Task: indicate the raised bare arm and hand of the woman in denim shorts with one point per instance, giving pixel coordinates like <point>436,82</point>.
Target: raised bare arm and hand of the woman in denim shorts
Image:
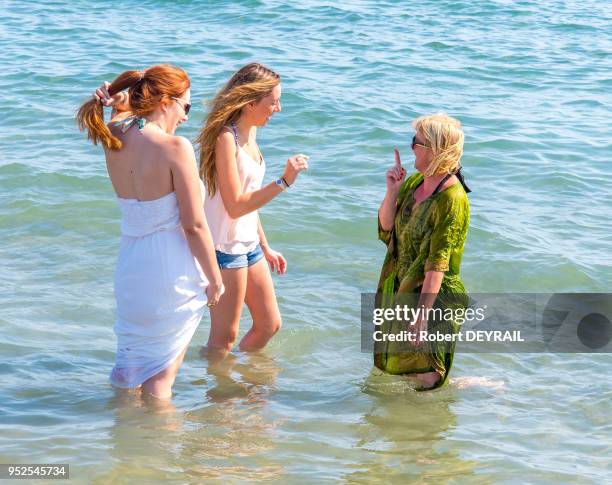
<point>235,201</point>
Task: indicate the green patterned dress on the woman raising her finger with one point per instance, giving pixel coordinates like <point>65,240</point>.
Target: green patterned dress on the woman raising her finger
<point>428,238</point>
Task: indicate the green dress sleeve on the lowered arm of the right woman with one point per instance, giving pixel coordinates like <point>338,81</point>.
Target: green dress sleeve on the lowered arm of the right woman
<point>446,234</point>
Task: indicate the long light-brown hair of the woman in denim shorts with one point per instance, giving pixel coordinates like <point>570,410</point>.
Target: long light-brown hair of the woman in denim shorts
<point>248,85</point>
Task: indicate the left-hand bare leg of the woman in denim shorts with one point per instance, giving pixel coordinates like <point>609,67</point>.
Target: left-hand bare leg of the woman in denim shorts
<point>225,315</point>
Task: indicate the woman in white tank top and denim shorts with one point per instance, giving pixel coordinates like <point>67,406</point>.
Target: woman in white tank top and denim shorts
<point>232,168</point>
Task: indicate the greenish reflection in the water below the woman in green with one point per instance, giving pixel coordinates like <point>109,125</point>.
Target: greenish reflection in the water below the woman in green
<point>405,434</point>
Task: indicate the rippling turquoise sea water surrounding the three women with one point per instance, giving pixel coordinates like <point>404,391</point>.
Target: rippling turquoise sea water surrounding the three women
<point>531,83</point>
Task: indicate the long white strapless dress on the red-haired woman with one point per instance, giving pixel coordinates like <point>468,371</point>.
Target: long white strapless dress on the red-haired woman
<point>159,289</point>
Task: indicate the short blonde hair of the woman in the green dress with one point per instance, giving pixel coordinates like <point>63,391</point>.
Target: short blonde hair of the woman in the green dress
<point>445,137</point>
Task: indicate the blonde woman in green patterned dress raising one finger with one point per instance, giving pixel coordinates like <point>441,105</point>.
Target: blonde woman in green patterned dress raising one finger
<point>424,222</point>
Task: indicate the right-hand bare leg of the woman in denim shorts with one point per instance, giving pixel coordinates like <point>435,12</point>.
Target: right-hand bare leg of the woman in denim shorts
<point>261,300</point>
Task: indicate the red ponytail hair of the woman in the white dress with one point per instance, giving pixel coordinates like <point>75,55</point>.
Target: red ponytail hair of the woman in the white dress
<point>147,90</point>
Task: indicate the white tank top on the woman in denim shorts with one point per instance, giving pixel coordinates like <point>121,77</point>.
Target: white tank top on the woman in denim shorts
<point>236,236</point>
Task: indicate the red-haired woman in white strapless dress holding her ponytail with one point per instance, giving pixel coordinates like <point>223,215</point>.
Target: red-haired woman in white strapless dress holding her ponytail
<point>166,270</point>
